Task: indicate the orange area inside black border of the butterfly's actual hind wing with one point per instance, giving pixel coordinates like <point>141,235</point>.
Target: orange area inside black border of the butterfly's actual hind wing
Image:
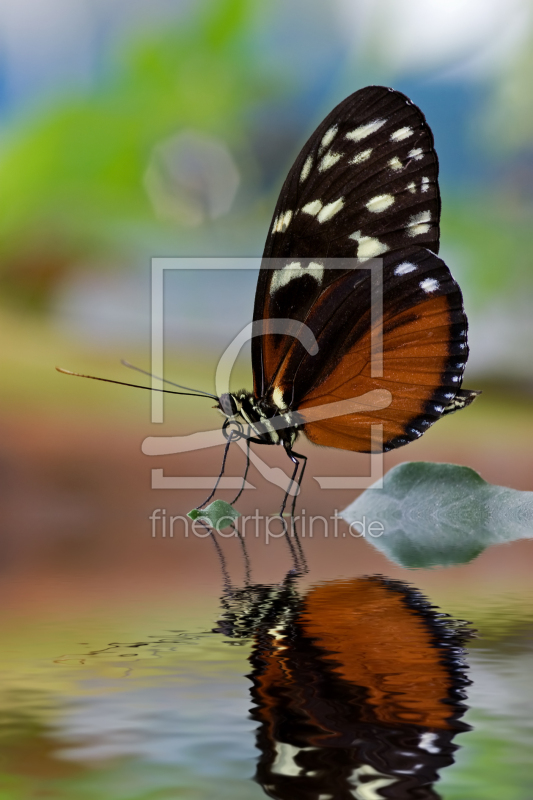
<point>418,370</point>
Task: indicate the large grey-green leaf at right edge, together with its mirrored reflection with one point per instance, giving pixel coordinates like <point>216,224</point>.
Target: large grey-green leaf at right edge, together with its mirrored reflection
<point>440,514</point>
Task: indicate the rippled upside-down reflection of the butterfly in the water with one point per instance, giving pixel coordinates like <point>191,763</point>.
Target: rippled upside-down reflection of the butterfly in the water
<point>357,687</point>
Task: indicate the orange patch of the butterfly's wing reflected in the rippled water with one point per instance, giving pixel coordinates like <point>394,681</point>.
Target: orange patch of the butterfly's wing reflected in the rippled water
<point>373,639</point>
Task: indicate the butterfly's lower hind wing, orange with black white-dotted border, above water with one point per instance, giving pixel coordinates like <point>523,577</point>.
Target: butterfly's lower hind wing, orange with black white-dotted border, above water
<point>424,353</point>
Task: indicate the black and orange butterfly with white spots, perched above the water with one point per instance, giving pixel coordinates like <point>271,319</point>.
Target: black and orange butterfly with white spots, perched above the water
<point>364,186</point>
